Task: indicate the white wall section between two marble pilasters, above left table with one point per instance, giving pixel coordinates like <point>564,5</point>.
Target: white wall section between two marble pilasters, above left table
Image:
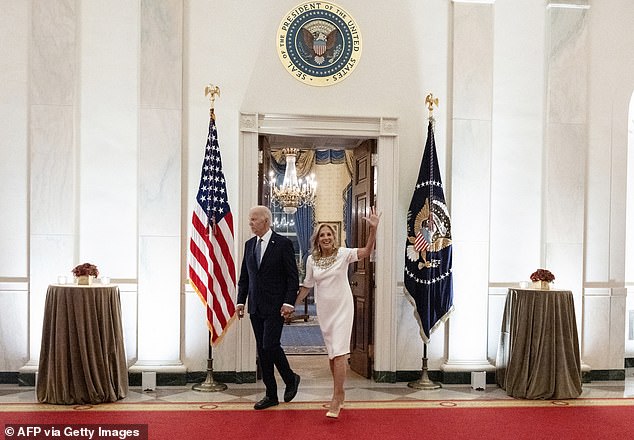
<point>107,130</point>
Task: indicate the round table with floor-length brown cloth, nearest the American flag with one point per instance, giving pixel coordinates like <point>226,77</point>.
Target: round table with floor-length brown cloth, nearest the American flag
<point>82,357</point>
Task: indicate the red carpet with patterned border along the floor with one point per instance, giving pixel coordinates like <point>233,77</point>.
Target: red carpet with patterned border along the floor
<point>447,420</point>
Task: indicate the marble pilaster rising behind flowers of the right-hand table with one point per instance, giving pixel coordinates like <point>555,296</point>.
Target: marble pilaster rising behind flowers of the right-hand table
<point>565,146</point>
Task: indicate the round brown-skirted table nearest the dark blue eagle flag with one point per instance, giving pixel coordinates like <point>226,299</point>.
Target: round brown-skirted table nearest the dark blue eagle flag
<point>538,355</point>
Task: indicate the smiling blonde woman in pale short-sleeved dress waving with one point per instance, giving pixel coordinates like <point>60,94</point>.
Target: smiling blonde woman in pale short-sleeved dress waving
<point>327,272</point>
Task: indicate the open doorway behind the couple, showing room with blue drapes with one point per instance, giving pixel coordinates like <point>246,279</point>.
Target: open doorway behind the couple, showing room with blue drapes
<point>342,170</point>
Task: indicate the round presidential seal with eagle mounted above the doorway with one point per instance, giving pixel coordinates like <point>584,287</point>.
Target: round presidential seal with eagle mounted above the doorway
<point>319,43</point>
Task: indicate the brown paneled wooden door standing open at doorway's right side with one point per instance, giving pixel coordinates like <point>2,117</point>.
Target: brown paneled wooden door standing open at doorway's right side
<point>361,273</point>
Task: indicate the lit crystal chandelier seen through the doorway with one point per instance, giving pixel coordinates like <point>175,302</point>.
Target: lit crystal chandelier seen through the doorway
<point>293,193</point>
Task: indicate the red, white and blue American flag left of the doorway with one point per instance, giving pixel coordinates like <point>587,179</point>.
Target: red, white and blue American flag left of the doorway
<point>212,270</point>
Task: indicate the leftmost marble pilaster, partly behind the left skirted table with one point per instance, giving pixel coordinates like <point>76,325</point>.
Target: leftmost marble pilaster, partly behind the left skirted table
<point>53,183</point>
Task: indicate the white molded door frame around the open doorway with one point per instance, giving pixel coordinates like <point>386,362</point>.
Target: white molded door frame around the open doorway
<point>385,131</point>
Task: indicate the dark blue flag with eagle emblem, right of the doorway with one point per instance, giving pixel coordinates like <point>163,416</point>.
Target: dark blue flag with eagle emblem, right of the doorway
<point>428,273</point>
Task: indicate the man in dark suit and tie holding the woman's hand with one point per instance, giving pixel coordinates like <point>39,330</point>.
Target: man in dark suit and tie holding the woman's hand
<point>269,288</point>
